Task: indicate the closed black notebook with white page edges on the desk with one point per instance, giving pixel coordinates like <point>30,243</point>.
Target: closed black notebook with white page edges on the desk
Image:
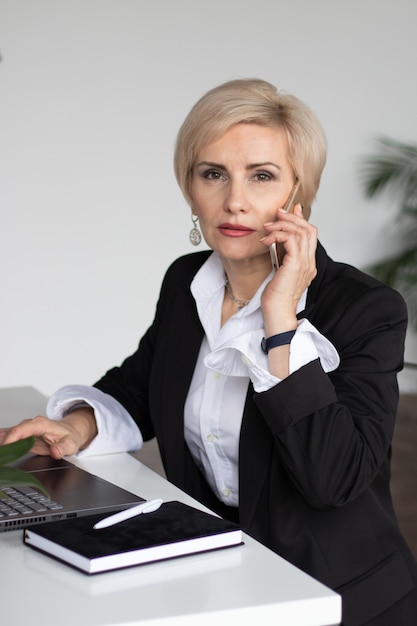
<point>175,529</point>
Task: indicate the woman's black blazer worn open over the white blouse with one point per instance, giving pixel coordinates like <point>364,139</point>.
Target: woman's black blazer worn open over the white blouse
<point>314,462</point>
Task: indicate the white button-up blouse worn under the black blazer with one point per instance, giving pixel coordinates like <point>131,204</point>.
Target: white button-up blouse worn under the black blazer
<point>229,357</point>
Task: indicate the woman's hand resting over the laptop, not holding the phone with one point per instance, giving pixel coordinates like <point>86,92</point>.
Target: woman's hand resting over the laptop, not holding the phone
<point>57,438</point>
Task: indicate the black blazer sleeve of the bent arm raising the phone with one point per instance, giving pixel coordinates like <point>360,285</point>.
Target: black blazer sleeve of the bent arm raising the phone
<point>334,431</point>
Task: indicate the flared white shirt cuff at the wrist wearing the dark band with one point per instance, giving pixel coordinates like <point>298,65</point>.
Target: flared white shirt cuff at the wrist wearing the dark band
<point>243,356</point>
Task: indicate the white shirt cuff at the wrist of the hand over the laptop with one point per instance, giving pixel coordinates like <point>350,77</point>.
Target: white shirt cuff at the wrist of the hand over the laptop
<point>117,432</point>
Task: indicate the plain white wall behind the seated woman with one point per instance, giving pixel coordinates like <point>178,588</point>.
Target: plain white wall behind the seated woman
<point>92,93</point>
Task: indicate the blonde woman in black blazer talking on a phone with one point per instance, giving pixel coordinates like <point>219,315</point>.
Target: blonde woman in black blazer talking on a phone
<point>272,391</point>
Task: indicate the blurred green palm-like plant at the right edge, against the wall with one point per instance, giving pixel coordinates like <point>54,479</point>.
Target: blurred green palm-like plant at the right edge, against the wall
<point>394,169</point>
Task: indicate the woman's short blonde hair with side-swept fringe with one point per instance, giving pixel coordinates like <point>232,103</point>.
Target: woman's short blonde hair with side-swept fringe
<point>254,101</point>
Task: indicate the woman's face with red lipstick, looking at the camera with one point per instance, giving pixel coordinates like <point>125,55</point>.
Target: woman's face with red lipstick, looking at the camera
<point>238,183</point>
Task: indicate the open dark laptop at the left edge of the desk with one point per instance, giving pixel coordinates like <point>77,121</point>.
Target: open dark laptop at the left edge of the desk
<point>72,491</point>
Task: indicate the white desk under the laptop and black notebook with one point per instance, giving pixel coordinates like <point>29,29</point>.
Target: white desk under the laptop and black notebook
<point>230,586</point>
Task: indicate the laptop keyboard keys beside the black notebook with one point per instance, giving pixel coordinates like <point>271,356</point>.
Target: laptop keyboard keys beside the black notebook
<point>24,500</point>
